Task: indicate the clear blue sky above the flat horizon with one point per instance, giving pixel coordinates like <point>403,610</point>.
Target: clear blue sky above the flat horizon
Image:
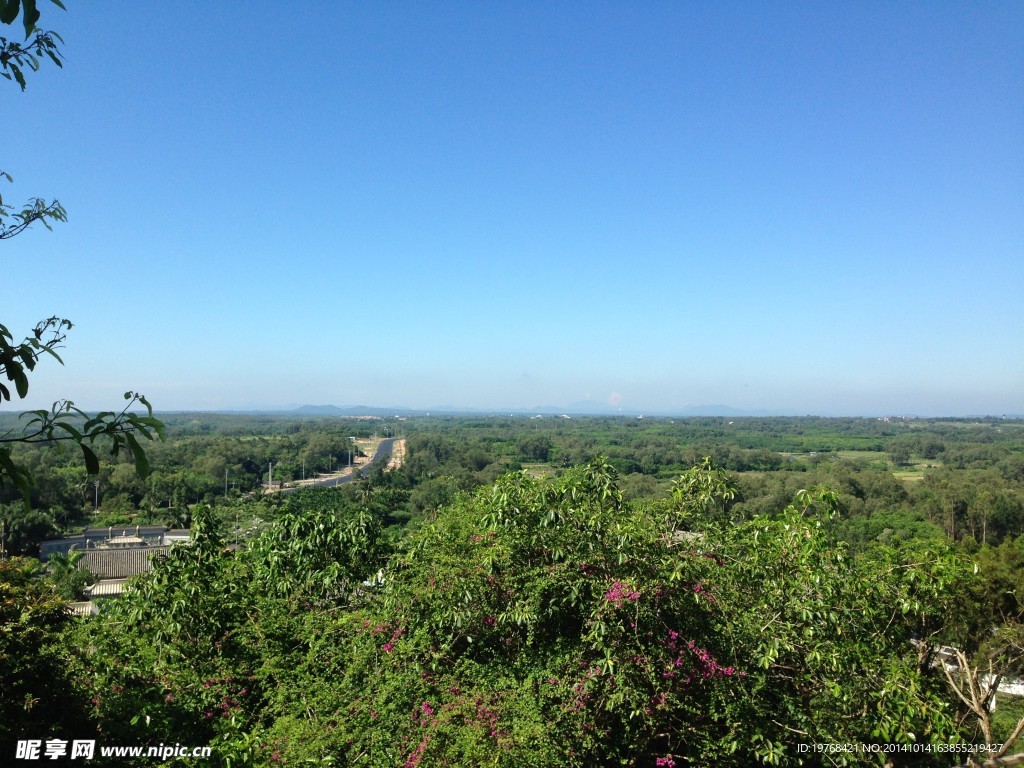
<point>813,207</point>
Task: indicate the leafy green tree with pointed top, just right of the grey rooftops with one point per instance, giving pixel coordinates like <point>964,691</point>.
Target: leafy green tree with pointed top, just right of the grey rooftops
<point>167,653</point>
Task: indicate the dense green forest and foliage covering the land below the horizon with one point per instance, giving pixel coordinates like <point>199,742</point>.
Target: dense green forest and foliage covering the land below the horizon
<point>516,591</point>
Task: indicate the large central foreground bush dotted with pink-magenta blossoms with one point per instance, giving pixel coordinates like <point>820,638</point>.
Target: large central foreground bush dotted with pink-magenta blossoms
<point>527,625</point>
